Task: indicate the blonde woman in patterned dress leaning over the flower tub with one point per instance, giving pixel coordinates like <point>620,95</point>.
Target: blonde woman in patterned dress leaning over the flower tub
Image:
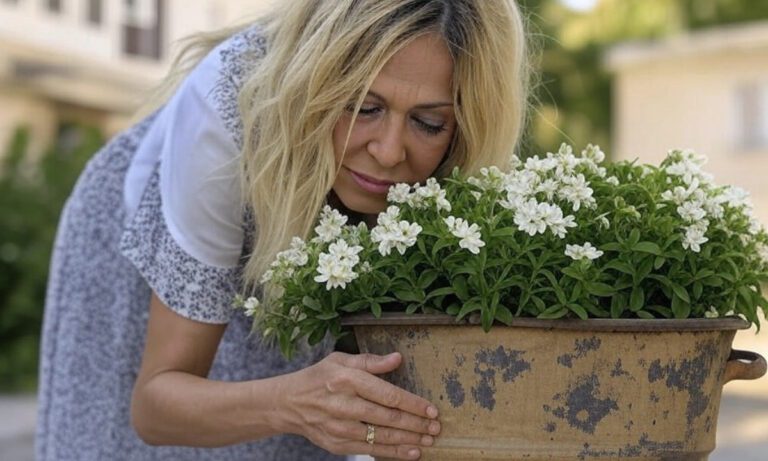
<point>323,101</point>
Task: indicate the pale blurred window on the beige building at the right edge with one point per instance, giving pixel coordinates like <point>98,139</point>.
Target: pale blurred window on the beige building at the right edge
<point>752,115</point>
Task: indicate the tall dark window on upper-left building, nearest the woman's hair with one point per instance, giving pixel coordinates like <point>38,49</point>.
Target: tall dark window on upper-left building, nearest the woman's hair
<point>143,28</point>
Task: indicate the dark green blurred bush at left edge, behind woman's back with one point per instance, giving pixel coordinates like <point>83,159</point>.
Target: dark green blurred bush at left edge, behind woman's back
<point>32,193</point>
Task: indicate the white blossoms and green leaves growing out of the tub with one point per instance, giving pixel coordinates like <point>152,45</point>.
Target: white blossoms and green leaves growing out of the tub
<point>555,237</point>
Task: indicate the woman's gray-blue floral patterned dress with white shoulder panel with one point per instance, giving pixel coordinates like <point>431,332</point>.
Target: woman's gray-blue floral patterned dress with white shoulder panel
<point>113,249</point>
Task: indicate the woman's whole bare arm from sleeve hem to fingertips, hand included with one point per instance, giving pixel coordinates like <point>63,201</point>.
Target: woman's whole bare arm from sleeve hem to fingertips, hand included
<point>175,404</point>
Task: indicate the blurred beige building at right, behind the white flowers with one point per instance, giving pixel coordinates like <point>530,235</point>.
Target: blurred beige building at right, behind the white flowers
<point>707,91</point>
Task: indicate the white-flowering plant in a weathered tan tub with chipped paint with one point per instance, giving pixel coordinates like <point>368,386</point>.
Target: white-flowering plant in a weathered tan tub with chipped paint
<point>563,309</point>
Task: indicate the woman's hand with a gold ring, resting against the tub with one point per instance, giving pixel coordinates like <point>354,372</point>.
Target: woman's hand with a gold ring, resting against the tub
<point>332,402</point>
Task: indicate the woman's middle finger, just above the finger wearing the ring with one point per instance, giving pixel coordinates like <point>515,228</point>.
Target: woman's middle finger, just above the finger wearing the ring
<point>386,417</point>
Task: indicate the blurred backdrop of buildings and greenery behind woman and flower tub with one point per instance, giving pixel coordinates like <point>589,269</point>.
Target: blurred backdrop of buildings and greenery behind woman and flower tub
<point>637,77</point>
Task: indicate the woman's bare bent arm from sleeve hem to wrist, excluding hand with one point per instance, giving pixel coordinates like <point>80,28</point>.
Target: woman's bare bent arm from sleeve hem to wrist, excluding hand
<point>175,404</point>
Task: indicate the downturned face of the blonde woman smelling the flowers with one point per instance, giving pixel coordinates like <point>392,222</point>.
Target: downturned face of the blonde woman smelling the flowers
<point>404,127</point>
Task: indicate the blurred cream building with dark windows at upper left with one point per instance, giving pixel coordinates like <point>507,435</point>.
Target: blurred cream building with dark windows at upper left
<point>92,61</point>
